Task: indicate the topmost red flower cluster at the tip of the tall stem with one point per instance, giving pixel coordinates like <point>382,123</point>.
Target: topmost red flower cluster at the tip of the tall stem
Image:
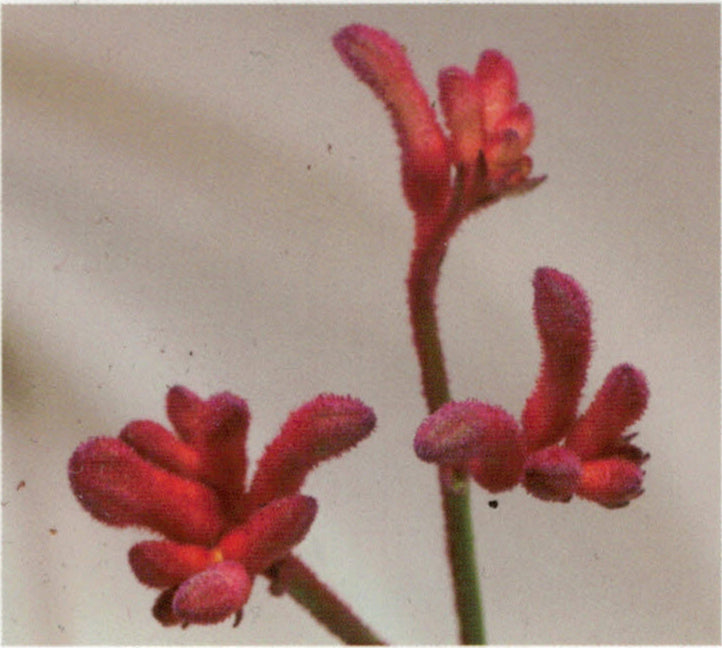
<point>489,130</point>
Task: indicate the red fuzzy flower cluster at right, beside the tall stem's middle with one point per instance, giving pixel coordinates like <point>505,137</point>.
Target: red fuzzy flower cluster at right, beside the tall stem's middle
<point>554,452</point>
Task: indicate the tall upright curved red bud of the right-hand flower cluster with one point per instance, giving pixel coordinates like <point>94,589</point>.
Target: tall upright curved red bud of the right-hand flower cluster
<point>563,321</point>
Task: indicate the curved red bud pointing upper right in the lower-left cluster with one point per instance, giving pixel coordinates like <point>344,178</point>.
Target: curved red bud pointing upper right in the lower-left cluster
<point>323,428</point>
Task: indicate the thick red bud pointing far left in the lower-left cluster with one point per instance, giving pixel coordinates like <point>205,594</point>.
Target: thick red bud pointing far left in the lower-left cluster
<point>116,486</point>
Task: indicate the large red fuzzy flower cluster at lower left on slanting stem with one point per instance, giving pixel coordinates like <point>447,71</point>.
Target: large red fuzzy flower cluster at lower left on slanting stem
<point>191,488</point>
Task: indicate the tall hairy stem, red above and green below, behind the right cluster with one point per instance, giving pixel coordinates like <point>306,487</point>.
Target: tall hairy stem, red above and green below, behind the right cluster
<point>422,283</point>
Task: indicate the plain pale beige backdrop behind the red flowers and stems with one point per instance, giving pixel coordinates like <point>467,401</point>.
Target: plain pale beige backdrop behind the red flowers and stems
<point>205,195</point>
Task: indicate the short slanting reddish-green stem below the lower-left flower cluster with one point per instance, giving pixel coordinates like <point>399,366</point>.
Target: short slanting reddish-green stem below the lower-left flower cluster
<point>308,591</point>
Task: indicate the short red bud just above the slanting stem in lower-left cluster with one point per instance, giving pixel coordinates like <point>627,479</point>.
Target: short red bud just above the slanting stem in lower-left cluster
<point>270,533</point>
